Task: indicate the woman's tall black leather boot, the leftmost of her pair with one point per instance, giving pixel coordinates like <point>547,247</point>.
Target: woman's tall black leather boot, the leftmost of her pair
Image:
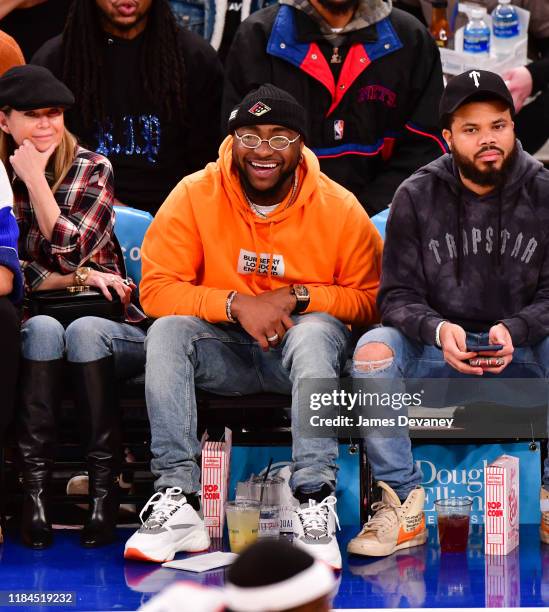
<point>40,385</point>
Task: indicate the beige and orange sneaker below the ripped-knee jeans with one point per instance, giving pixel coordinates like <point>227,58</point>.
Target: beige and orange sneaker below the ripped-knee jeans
<point>394,526</point>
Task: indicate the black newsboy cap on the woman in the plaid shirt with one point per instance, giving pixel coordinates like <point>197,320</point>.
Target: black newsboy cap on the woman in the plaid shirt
<point>30,87</point>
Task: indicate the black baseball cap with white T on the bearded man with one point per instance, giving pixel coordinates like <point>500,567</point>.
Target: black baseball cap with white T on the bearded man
<point>471,84</point>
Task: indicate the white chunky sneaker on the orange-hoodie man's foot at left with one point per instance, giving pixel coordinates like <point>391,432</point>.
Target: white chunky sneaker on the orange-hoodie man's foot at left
<point>173,526</point>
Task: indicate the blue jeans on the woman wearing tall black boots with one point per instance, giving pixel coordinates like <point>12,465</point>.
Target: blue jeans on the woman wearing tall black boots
<point>86,339</point>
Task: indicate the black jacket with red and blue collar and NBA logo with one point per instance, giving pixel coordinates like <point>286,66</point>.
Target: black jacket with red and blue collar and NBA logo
<point>373,118</point>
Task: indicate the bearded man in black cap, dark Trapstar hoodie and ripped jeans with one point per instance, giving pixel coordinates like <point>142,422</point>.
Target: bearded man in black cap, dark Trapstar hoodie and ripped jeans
<point>466,262</point>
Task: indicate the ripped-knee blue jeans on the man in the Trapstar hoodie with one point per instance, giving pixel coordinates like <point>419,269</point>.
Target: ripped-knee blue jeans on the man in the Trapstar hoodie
<point>391,458</point>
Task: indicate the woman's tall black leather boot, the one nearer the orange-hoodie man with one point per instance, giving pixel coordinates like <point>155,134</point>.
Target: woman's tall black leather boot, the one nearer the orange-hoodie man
<point>96,394</point>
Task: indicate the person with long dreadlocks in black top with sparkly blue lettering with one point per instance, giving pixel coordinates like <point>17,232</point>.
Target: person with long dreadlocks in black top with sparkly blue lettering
<point>147,93</point>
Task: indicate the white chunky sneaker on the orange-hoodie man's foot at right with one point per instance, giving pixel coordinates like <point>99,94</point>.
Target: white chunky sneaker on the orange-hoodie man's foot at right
<point>315,530</point>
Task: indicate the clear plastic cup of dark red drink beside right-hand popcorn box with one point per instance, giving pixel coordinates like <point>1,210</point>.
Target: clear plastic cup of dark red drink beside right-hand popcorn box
<point>453,523</point>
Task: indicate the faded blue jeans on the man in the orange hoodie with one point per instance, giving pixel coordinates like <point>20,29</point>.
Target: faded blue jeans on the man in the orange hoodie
<point>225,359</point>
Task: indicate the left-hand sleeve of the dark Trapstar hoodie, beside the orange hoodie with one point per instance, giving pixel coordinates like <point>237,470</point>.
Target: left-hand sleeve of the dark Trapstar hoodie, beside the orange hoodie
<point>402,297</point>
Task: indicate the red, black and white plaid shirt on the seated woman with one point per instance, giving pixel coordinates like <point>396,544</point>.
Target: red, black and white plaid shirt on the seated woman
<point>83,231</point>
